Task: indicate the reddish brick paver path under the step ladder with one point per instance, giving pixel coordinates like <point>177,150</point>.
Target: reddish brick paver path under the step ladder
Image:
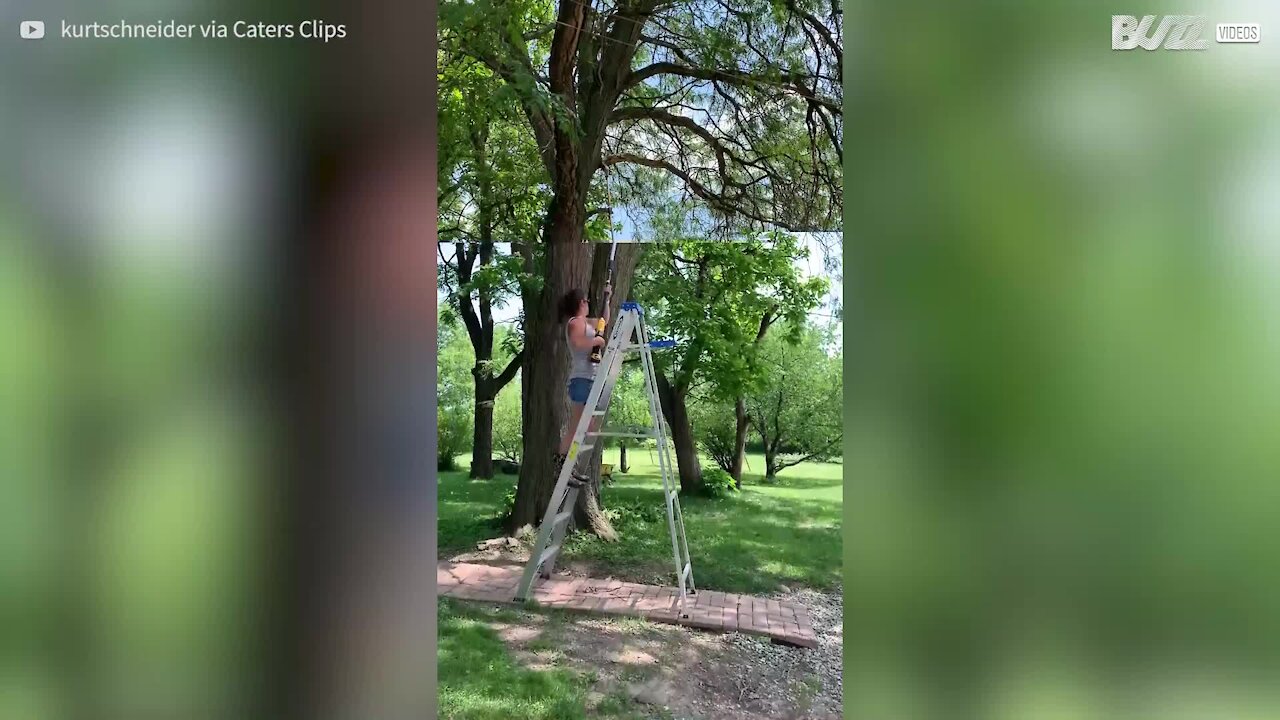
<point>784,622</point>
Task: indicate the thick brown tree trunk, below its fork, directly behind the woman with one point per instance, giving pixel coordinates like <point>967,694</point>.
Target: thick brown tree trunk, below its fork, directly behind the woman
<point>546,364</point>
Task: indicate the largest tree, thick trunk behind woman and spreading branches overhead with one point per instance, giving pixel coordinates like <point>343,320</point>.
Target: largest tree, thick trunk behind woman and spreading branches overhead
<point>728,102</point>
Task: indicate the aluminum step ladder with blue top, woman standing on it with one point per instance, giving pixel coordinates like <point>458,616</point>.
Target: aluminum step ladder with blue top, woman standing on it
<point>629,336</point>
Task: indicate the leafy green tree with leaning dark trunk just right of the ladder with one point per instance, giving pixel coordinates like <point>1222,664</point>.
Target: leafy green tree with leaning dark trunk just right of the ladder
<point>711,298</point>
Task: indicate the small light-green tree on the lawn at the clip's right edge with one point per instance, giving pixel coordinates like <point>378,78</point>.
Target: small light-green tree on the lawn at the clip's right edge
<point>797,411</point>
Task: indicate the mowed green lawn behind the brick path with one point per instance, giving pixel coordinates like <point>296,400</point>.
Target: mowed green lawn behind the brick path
<point>755,541</point>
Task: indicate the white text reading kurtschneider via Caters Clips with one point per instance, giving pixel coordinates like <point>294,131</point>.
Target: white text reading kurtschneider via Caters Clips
<point>244,30</point>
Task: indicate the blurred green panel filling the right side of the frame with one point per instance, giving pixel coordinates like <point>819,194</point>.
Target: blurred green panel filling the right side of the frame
<point>1064,425</point>
